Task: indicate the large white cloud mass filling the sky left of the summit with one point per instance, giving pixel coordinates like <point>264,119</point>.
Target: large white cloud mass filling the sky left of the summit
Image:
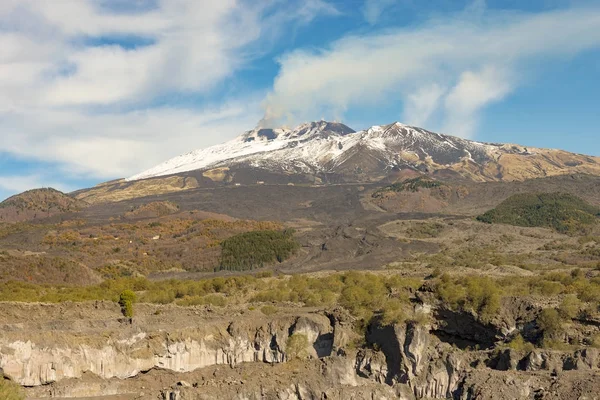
<point>70,100</point>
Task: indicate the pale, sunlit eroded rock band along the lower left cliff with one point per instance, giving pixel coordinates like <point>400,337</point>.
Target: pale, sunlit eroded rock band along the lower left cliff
<point>31,364</point>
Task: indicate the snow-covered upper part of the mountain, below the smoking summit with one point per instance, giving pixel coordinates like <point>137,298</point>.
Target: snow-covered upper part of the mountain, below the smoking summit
<point>321,147</point>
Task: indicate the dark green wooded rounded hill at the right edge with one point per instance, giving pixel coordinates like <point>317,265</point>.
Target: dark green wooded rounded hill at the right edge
<point>561,211</point>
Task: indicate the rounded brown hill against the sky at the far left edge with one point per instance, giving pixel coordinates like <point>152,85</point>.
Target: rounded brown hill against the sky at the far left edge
<point>38,204</point>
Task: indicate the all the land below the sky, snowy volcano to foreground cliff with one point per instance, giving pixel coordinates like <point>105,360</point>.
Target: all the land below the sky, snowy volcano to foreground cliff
<point>310,263</point>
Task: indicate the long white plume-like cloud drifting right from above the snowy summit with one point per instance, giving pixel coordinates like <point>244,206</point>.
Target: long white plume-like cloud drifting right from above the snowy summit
<point>478,59</point>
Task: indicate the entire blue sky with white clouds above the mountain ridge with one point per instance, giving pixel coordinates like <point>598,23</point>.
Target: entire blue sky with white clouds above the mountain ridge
<point>93,90</point>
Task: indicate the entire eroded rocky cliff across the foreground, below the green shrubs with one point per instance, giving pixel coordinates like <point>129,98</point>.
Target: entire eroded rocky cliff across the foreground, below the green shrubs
<point>198,353</point>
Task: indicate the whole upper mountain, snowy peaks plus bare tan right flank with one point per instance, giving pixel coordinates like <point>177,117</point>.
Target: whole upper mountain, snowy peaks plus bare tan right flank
<point>333,150</point>
